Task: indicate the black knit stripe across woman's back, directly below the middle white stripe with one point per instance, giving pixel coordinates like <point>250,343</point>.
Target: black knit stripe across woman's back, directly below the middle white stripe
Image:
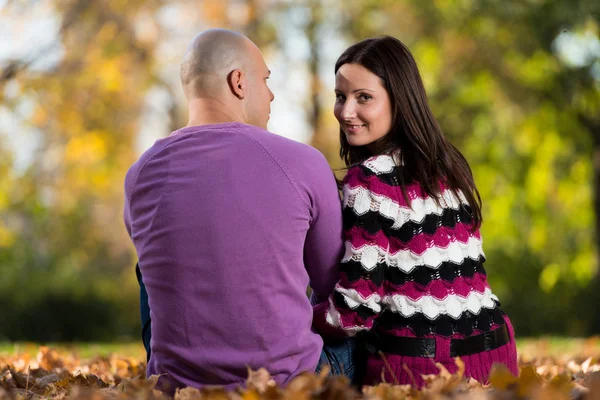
<point>421,274</point>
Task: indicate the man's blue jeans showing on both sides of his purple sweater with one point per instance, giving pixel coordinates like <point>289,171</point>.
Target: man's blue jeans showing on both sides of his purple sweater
<point>339,355</point>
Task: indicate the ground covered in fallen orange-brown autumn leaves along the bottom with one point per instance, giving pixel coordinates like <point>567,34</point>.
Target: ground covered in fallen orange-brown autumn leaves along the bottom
<point>59,374</point>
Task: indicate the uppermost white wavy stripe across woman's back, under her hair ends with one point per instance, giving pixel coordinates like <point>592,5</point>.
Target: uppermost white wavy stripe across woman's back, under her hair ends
<point>362,200</point>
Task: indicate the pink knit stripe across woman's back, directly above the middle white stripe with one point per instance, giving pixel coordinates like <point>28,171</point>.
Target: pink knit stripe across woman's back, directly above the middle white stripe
<point>442,238</point>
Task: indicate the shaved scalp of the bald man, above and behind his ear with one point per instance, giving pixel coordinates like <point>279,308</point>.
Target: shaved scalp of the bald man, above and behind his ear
<point>211,56</point>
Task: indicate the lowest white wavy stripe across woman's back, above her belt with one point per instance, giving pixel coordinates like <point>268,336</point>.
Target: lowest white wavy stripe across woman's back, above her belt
<point>453,305</point>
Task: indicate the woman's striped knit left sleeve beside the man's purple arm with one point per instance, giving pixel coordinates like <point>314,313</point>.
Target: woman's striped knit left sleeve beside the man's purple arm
<point>356,300</point>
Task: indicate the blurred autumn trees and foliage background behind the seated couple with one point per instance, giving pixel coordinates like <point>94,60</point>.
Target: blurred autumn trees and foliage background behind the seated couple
<point>87,86</point>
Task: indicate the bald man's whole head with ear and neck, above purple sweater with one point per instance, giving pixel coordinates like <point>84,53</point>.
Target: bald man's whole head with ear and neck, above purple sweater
<point>224,78</point>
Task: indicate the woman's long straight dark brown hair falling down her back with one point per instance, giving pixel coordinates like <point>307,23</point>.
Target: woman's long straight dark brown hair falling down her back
<point>428,157</point>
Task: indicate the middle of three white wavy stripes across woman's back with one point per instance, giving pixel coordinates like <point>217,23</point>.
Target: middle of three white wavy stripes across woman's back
<point>406,260</point>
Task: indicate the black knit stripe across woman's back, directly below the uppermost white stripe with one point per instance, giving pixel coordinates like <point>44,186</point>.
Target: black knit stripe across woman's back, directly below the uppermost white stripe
<point>374,222</point>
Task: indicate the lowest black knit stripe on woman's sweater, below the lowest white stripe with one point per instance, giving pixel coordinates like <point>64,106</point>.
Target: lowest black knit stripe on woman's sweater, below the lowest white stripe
<point>444,325</point>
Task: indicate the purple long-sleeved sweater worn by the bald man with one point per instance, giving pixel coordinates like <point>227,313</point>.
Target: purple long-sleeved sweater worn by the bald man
<point>231,223</point>
